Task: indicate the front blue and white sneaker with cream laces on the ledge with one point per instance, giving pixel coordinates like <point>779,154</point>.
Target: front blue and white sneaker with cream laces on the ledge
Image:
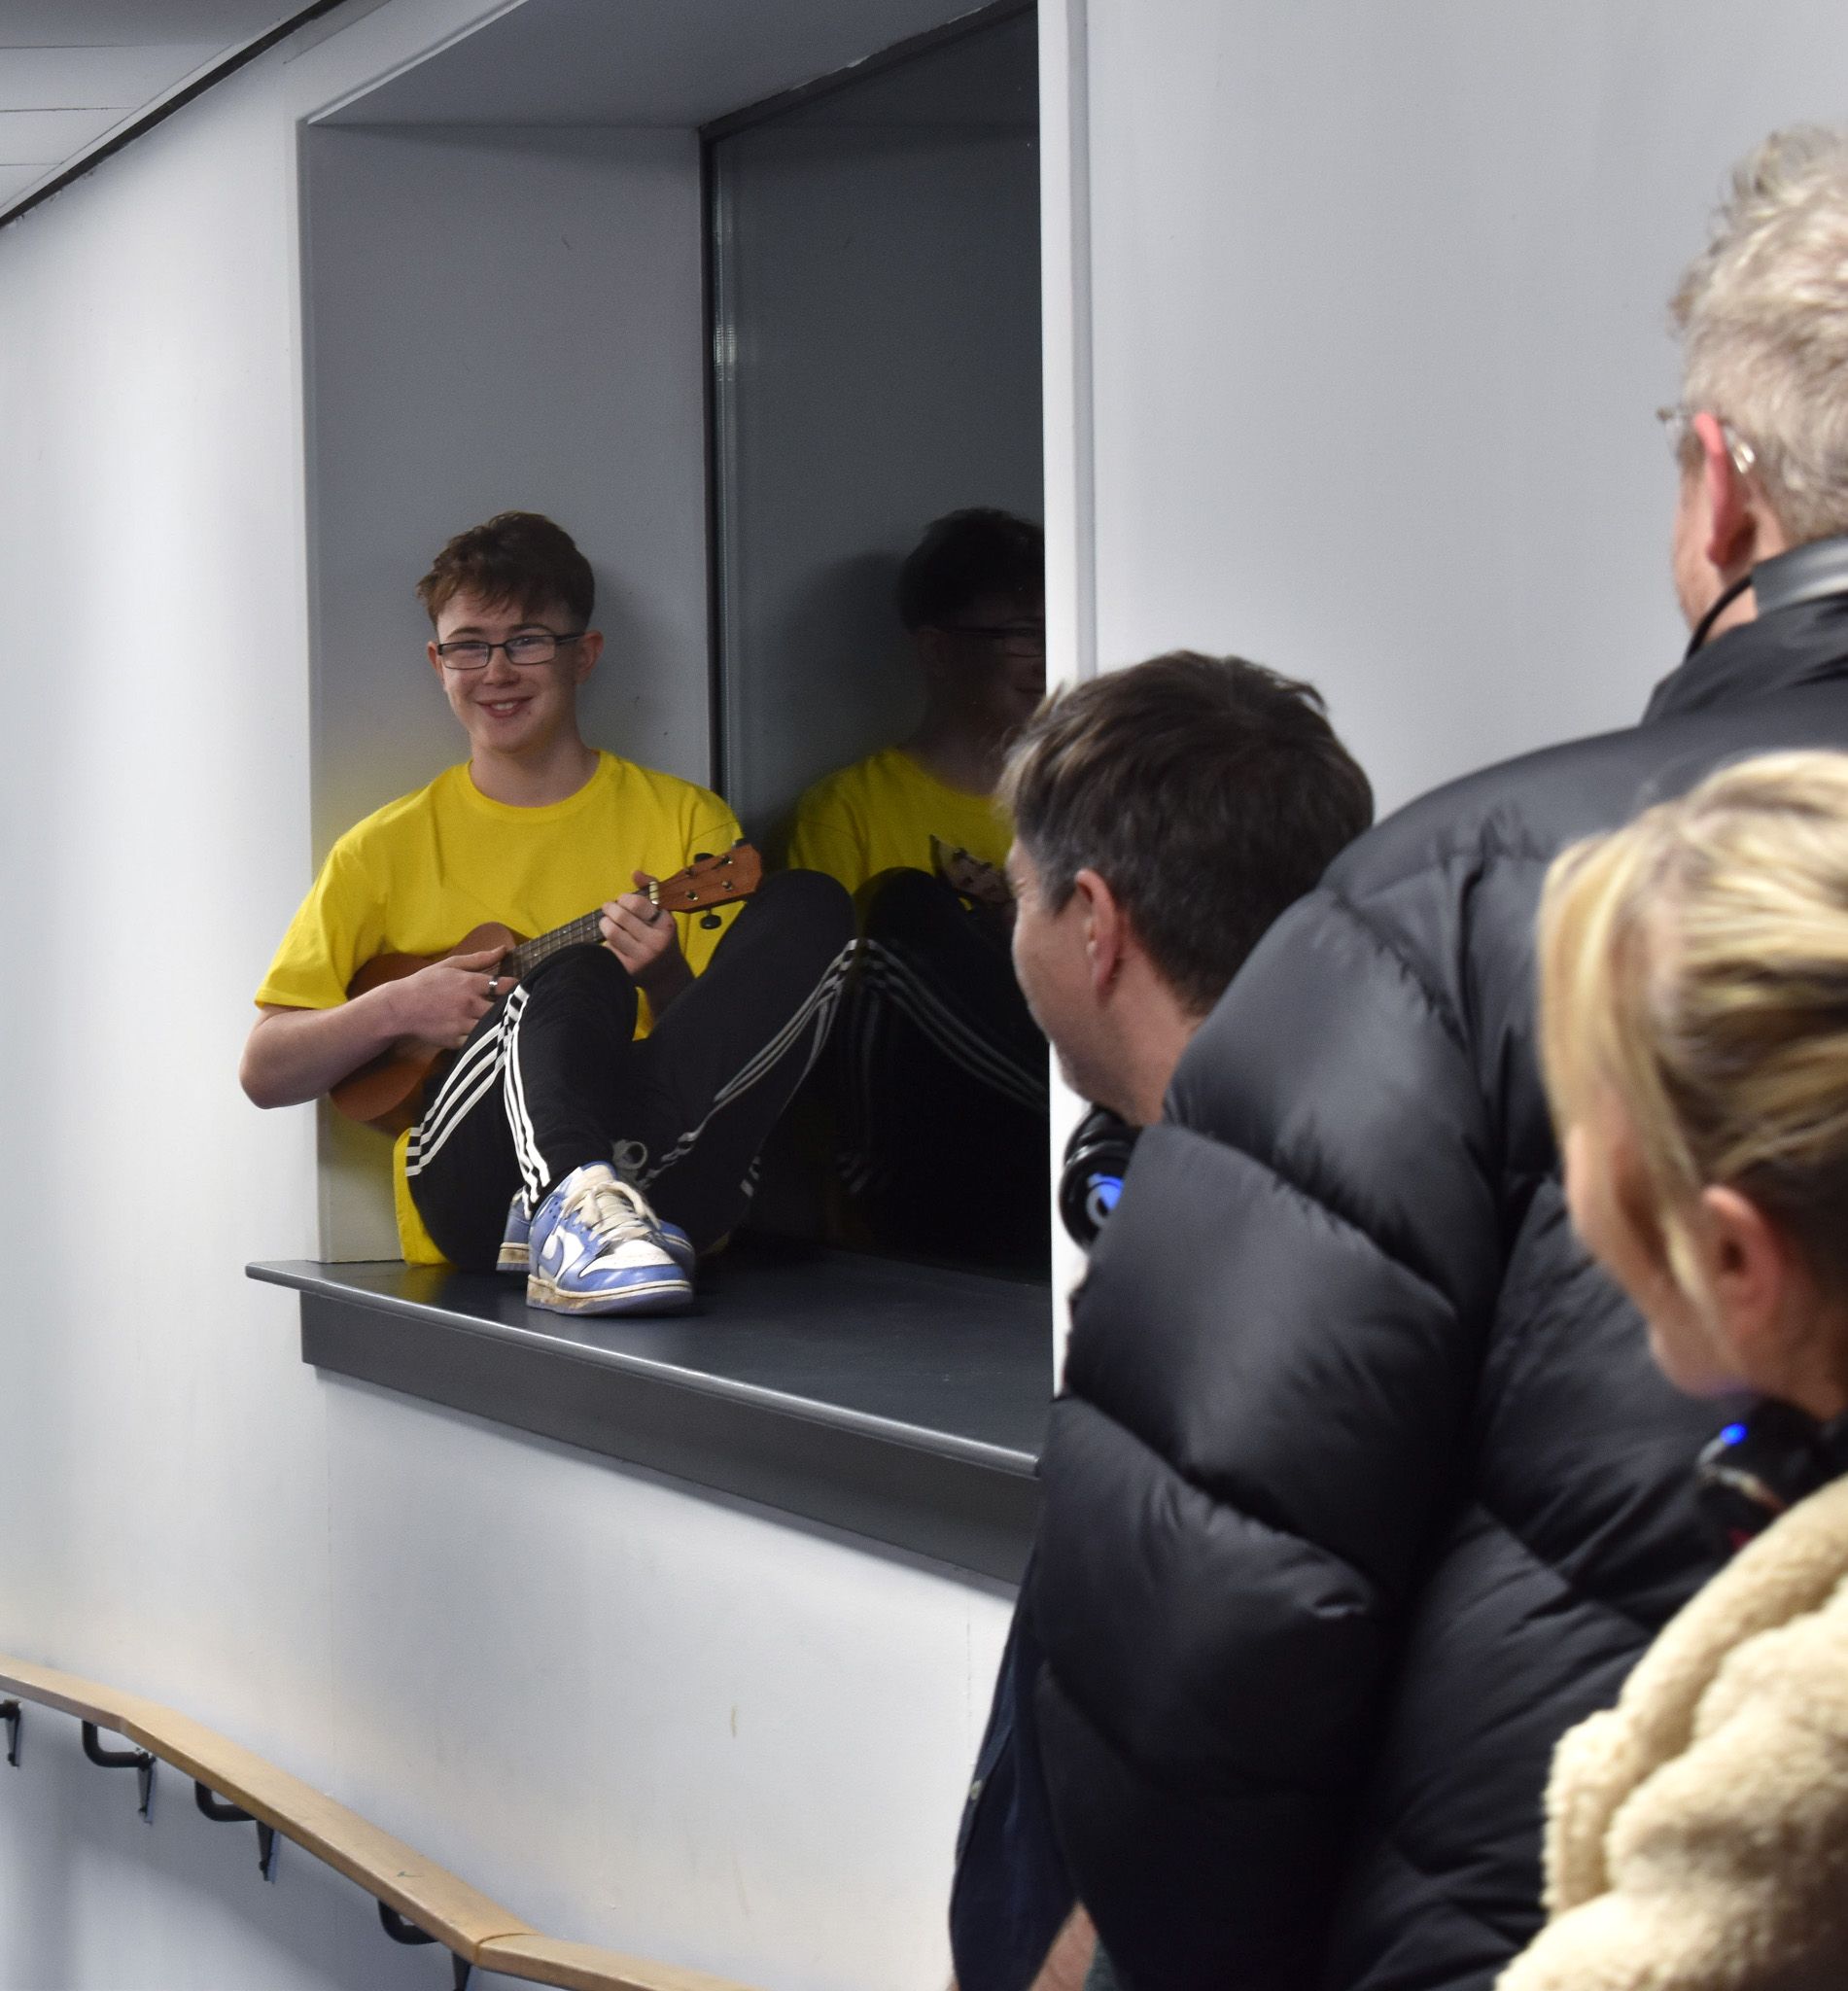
<point>598,1249</point>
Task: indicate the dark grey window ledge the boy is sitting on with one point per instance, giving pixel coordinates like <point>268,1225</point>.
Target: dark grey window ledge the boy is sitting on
<point>893,1401</point>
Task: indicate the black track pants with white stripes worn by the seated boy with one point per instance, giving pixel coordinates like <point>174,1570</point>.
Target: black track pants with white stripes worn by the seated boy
<point>555,1078</point>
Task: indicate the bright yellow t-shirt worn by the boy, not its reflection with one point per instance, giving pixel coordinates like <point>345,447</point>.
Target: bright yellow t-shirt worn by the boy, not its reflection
<point>421,873</point>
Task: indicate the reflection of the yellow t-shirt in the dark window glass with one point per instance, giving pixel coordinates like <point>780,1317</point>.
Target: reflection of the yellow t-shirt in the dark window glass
<point>883,811</point>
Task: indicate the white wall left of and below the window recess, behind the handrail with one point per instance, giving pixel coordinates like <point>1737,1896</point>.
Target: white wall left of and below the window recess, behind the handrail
<point>346,1582</point>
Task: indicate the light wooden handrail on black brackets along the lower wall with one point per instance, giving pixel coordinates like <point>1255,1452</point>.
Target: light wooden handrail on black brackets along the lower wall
<point>419,1892</point>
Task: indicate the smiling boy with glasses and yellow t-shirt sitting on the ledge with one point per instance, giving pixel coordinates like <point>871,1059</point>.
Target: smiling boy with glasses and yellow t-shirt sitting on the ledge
<point>592,1122</point>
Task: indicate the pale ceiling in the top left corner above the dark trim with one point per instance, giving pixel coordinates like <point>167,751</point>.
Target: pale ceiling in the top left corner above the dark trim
<point>73,73</point>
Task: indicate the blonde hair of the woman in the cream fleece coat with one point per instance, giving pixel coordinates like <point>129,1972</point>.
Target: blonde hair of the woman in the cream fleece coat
<point>1696,967</point>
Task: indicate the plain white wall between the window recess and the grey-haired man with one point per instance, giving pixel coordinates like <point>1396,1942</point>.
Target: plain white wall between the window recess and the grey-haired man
<point>1379,316</point>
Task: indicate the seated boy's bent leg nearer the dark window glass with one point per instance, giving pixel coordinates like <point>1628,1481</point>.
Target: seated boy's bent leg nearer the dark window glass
<point>728,1058</point>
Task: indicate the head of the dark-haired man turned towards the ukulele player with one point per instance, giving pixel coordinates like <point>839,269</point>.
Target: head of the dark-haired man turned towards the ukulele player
<point>1164,817</point>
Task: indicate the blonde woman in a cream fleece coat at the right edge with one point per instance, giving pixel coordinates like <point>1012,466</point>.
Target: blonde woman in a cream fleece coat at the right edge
<point>1696,1040</point>
